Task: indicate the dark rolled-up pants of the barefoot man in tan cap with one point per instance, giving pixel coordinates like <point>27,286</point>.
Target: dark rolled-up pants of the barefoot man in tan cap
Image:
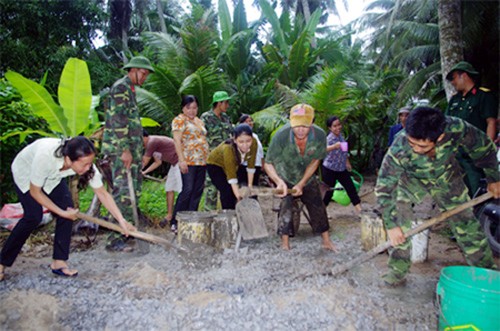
<point>311,198</point>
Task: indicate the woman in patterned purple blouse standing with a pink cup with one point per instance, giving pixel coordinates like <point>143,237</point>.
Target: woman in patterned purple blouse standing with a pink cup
<point>336,165</point>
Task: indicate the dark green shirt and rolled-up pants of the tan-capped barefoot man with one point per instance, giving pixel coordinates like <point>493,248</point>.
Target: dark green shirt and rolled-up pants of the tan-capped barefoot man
<point>290,165</point>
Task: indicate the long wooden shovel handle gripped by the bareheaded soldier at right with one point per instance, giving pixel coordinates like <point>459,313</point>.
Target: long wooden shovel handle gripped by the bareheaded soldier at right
<point>382,247</point>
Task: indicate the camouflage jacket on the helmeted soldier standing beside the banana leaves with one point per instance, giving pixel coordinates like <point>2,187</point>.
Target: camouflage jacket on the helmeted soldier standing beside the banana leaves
<point>123,129</point>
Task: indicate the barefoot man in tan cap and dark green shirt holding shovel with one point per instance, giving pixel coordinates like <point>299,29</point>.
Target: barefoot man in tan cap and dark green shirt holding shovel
<point>292,159</point>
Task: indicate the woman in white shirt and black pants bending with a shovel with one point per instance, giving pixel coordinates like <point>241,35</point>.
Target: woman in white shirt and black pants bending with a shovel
<point>39,171</point>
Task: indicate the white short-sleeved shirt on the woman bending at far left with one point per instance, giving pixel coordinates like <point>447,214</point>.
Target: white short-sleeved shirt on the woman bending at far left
<point>37,164</point>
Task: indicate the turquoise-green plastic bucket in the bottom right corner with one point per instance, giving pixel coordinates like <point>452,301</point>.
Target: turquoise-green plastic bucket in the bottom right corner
<point>468,298</point>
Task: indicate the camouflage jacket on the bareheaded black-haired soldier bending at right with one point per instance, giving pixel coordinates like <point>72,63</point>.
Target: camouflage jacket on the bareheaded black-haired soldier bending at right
<point>433,173</point>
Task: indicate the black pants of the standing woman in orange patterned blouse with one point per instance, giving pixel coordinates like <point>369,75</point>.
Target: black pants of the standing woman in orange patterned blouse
<point>192,189</point>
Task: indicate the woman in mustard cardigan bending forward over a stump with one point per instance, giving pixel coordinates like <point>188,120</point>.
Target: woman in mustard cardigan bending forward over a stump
<point>224,160</point>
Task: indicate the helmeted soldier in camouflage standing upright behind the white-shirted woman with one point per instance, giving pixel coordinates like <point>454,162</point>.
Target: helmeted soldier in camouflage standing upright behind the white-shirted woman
<point>122,141</point>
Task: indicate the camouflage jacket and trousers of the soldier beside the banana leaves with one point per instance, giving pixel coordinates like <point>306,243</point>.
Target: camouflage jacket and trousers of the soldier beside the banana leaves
<point>122,131</point>
